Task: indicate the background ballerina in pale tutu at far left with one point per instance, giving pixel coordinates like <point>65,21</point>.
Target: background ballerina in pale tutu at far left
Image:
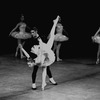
<point>22,34</point>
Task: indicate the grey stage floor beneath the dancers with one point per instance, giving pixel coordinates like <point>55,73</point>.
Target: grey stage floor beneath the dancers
<point>78,79</point>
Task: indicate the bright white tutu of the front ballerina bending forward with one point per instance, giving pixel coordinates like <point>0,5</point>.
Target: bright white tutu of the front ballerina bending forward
<point>45,56</point>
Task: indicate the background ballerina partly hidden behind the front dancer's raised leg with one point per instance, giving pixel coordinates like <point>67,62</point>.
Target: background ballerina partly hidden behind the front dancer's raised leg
<point>59,38</point>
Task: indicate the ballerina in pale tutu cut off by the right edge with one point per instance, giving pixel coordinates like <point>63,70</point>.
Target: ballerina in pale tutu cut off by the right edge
<point>96,39</point>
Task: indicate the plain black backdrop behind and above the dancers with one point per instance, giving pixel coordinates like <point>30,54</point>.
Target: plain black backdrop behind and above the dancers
<point>81,20</point>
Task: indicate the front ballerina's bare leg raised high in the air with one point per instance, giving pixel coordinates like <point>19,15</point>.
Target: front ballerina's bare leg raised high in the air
<point>51,39</point>
